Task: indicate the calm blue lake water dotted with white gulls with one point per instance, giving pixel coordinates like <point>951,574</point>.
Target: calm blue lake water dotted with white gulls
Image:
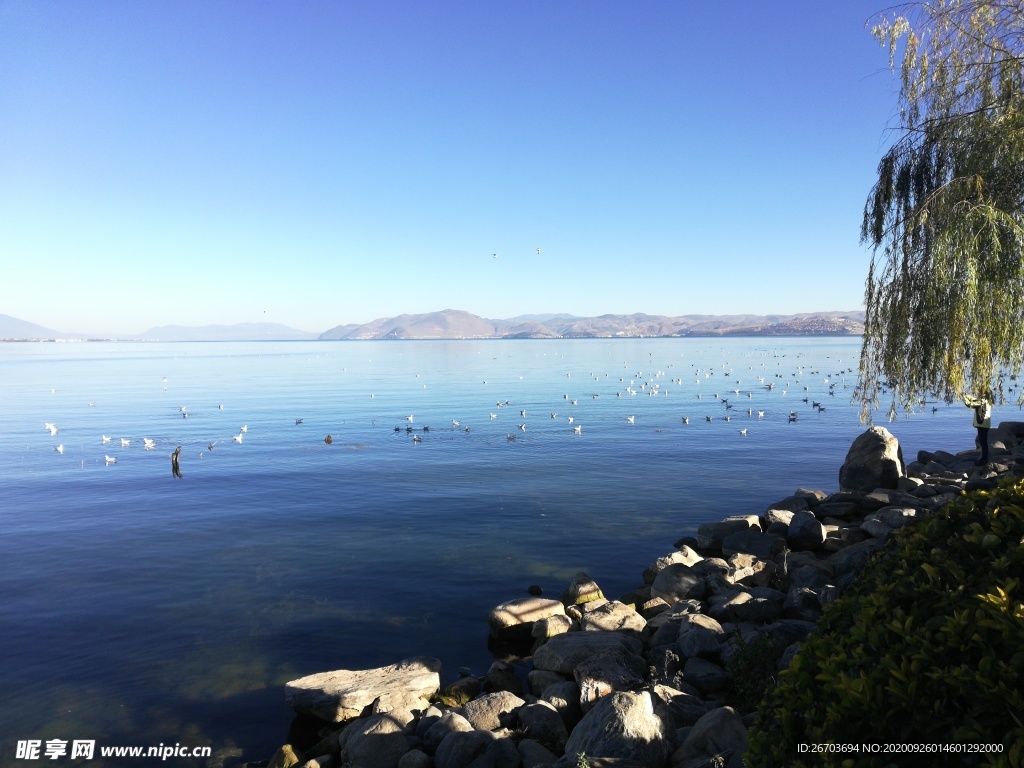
<point>141,609</point>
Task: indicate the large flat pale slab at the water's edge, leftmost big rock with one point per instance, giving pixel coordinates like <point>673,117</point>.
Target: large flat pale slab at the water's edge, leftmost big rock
<point>346,695</point>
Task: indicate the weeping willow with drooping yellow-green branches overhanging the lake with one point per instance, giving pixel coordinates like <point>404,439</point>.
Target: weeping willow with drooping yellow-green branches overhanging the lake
<point>945,296</point>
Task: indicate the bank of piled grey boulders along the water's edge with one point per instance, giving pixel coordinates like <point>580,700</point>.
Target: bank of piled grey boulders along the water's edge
<point>643,681</point>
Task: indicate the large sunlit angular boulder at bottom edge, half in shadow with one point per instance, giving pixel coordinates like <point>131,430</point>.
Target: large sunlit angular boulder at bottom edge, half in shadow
<point>622,726</point>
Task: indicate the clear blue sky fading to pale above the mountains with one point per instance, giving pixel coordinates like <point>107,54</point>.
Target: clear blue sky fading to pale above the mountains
<point>318,163</point>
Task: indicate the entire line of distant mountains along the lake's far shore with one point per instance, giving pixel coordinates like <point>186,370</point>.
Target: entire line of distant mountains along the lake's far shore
<point>455,324</point>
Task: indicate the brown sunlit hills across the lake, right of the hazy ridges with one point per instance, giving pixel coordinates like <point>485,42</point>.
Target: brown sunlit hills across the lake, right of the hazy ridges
<point>454,324</point>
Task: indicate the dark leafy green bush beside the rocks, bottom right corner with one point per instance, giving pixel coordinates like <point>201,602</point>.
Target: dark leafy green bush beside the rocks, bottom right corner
<point>927,648</point>
